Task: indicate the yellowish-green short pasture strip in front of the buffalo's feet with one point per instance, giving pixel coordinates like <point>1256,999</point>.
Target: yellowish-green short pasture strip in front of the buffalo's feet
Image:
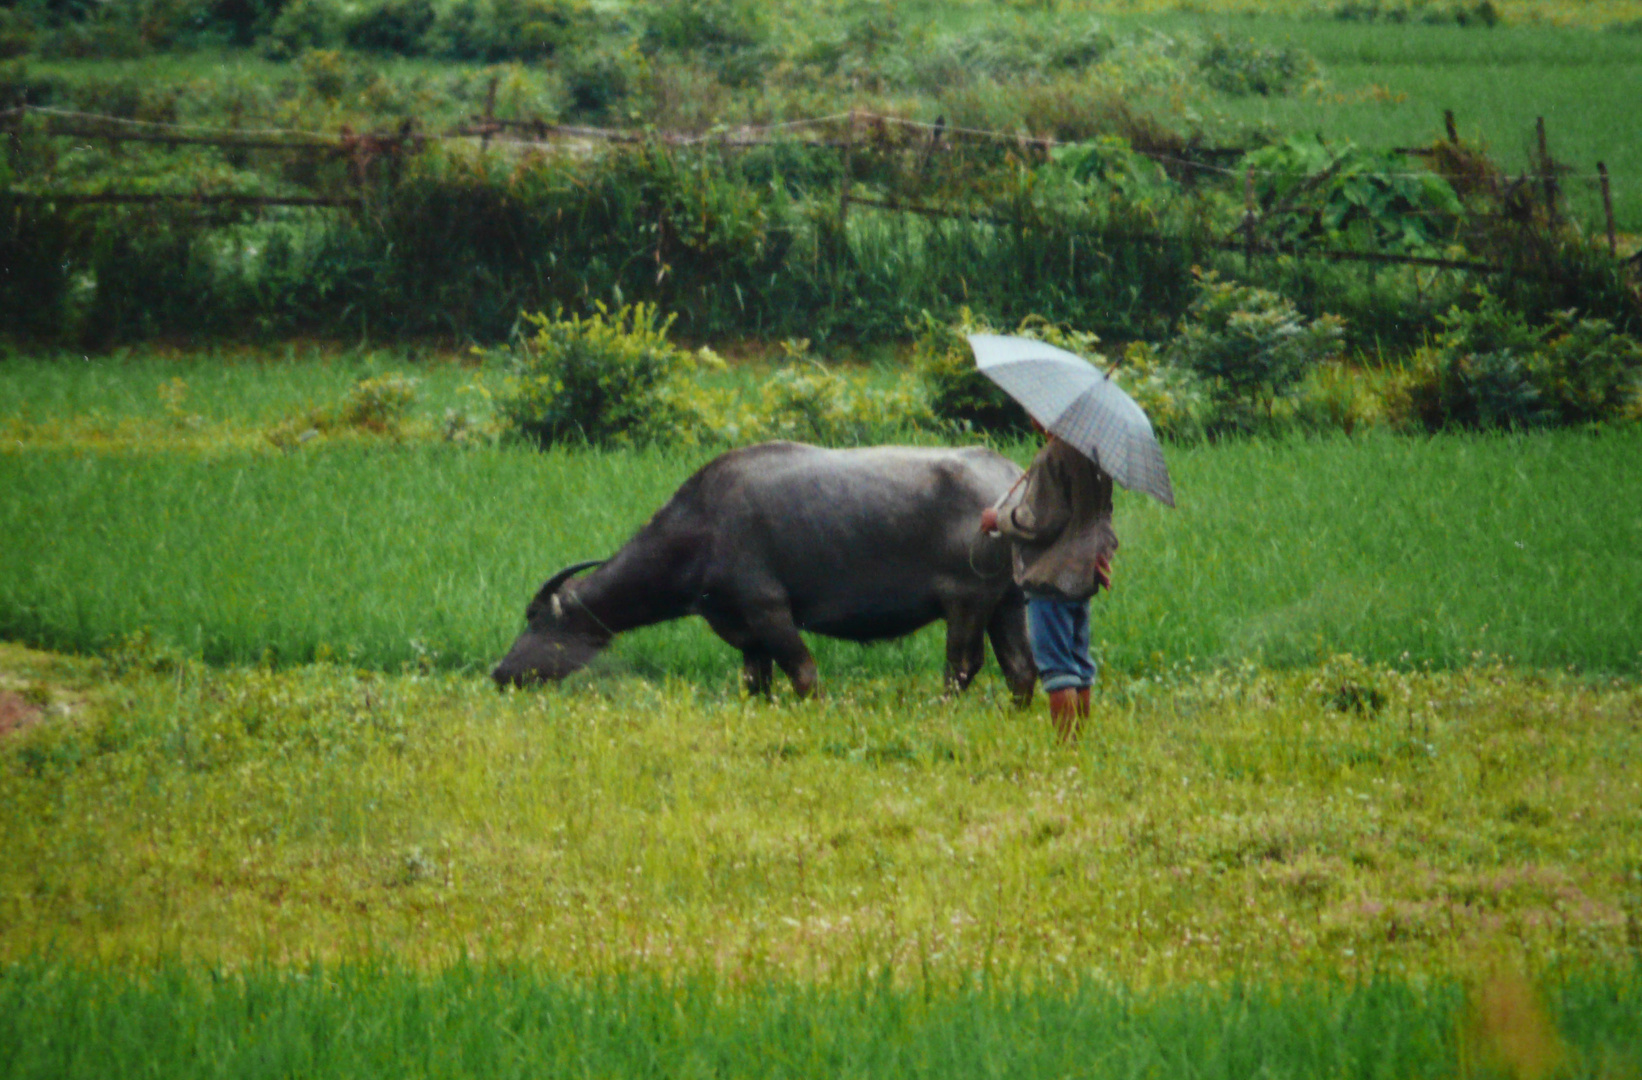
<point>1344,820</point>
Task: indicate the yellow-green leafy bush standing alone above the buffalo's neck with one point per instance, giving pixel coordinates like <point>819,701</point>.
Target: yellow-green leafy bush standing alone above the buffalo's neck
<point>605,380</point>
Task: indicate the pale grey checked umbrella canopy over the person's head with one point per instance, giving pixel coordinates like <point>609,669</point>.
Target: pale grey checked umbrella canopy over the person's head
<point>1081,405</point>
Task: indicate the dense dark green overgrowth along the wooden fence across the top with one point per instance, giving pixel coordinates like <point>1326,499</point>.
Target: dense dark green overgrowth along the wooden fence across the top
<point>1094,196</point>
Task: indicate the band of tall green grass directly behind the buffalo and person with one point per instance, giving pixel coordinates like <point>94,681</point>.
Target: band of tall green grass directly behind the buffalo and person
<point>1408,552</point>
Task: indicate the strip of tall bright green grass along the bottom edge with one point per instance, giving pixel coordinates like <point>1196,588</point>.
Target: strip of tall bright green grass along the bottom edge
<point>479,1022</point>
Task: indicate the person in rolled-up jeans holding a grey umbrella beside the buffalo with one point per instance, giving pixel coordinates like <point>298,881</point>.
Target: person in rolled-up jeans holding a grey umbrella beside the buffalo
<point>1060,513</point>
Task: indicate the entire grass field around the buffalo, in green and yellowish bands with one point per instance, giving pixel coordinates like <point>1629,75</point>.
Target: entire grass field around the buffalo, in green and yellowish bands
<point>275,821</point>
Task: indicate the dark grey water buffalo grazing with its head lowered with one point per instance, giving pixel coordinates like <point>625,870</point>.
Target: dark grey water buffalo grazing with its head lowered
<point>782,538</point>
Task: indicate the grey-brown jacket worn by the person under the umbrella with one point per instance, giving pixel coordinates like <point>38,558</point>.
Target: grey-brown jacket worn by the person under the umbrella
<point>1060,519</point>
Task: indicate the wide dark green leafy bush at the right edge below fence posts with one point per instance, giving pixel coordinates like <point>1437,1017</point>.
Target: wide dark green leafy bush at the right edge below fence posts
<point>1490,368</point>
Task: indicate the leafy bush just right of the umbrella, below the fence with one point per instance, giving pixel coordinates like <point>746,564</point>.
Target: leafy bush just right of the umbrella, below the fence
<point>1250,346</point>
